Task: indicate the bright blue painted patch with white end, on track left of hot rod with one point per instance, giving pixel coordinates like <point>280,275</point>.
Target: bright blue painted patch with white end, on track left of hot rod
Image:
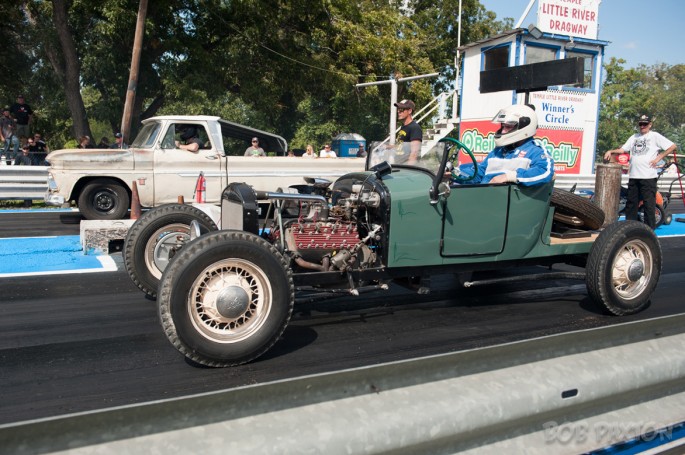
<point>48,255</point>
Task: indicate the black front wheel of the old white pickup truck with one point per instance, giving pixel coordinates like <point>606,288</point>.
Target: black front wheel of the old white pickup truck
<point>104,199</point>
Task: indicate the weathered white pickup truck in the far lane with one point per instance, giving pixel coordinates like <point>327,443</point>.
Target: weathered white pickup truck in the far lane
<point>100,181</point>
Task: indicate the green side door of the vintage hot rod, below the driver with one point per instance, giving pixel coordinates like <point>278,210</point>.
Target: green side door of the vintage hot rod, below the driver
<point>475,220</point>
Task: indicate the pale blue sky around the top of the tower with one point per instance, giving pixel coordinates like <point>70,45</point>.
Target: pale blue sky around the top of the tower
<point>640,32</point>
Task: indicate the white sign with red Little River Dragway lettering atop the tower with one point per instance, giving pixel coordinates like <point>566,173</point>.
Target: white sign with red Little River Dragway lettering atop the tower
<point>577,18</point>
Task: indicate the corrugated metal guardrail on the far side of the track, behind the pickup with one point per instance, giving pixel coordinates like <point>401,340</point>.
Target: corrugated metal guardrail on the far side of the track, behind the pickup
<point>30,182</point>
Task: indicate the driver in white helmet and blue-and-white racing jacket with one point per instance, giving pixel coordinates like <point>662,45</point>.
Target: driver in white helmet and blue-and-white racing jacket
<point>517,157</point>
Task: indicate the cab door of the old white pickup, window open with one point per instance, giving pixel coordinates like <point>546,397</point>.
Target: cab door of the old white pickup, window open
<point>177,170</point>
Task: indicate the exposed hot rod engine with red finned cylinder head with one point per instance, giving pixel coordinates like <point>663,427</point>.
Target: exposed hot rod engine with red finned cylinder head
<point>328,237</point>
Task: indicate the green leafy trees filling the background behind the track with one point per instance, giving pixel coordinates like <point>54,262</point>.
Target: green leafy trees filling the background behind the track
<point>284,66</point>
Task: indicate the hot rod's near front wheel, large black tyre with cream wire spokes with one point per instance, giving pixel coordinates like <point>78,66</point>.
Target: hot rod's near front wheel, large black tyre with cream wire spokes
<point>226,298</point>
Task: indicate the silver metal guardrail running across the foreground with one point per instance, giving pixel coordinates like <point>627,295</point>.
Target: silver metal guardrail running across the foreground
<point>566,393</point>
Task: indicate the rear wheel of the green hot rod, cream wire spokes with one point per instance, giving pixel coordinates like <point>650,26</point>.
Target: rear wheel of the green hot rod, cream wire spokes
<point>623,267</point>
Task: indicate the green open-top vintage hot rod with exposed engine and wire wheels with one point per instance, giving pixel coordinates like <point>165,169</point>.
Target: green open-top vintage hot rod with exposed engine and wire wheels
<point>226,295</point>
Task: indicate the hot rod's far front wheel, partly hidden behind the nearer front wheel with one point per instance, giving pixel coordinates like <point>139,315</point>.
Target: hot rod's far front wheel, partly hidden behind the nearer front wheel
<point>155,238</point>
